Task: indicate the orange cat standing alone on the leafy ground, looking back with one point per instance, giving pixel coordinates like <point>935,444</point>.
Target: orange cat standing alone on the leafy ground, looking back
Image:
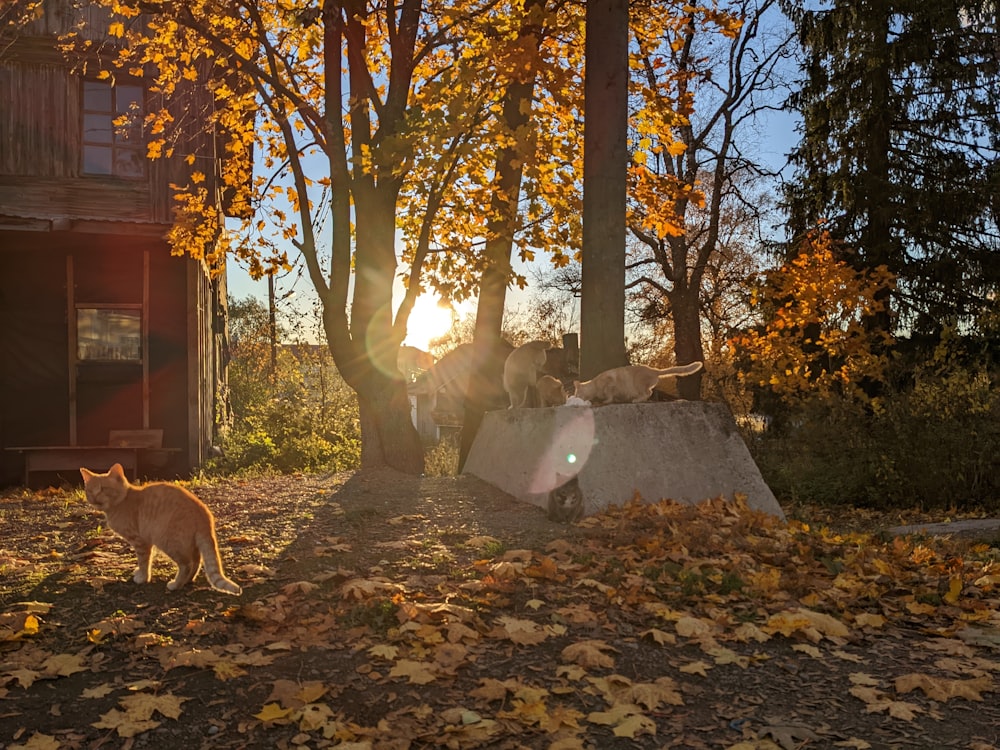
<point>161,516</point>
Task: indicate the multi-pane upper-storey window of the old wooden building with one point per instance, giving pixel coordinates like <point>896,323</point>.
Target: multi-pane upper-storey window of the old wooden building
<point>109,149</point>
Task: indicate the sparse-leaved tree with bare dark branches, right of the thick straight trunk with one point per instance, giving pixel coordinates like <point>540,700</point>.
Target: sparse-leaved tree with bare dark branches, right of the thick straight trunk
<point>702,77</point>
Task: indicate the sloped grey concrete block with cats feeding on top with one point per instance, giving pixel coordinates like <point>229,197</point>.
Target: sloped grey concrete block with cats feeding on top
<point>687,451</point>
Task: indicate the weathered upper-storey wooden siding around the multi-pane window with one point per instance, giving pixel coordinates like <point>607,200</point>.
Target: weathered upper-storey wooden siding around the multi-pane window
<point>41,128</point>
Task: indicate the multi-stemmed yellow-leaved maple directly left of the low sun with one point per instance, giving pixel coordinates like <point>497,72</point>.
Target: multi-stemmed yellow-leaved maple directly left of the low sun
<point>379,121</point>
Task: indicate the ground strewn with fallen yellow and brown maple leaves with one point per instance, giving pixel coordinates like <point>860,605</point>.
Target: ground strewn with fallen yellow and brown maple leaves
<point>383,611</point>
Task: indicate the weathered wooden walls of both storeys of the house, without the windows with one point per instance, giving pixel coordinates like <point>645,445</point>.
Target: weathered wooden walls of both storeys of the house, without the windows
<point>101,240</point>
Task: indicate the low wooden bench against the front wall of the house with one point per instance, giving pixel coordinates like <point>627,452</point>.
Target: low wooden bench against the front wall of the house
<point>124,447</point>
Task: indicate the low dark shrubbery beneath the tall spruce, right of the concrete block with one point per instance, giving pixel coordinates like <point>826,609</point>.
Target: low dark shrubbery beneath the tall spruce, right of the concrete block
<point>936,444</point>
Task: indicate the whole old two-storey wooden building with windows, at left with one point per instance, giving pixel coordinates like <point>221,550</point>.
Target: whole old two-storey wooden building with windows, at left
<point>102,329</point>
